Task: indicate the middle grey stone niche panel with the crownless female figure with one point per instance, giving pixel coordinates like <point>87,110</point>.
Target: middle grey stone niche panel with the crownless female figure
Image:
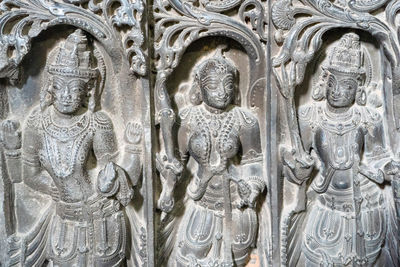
<point>210,110</point>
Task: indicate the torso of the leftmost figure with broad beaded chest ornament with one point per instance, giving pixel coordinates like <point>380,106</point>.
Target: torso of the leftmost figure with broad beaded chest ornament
<point>64,151</point>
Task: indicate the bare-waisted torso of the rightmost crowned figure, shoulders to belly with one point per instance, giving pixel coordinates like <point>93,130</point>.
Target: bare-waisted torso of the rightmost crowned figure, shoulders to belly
<point>338,140</point>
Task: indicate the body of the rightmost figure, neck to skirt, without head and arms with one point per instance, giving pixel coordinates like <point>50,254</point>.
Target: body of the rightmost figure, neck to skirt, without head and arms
<point>346,220</point>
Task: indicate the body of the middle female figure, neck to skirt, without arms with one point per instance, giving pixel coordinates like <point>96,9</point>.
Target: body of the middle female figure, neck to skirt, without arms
<point>214,142</point>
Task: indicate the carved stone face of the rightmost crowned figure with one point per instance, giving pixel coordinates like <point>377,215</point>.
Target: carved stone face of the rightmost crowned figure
<point>341,90</point>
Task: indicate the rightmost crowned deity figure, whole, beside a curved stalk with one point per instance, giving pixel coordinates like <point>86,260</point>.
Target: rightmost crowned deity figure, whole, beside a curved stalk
<point>346,214</point>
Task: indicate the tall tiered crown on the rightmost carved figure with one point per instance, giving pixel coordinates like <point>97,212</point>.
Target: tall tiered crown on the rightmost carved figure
<point>347,56</point>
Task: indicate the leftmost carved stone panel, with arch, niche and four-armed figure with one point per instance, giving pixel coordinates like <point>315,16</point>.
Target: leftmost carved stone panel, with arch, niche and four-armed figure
<point>75,184</point>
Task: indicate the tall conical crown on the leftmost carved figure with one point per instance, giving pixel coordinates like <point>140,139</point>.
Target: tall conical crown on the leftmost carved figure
<point>74,58</point>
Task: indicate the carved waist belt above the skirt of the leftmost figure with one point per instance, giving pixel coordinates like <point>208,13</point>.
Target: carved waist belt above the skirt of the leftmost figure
<point>95,208</point>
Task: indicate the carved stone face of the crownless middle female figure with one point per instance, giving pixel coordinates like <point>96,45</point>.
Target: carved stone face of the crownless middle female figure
<point>218,89</point>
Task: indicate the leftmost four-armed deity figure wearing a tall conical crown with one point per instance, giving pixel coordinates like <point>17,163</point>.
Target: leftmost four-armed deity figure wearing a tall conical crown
<point>85,225</point>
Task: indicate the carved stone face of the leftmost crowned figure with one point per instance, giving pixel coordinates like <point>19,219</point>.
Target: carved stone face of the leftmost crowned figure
<point>68,94</point>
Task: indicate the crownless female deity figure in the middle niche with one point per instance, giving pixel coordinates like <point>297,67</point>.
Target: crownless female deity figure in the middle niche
<point>221,143</point>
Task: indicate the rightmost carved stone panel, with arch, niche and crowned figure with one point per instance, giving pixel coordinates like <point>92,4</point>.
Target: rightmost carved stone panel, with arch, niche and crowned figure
<point>336,68</point>
